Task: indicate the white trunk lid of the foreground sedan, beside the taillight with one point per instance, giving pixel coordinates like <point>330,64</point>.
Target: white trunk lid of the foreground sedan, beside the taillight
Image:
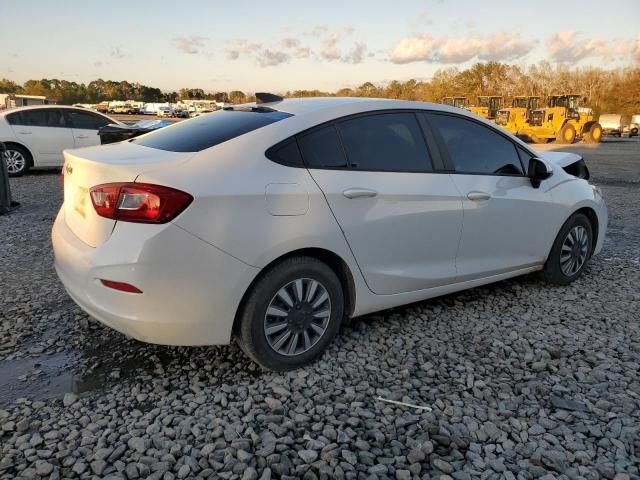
<point>87,167</point>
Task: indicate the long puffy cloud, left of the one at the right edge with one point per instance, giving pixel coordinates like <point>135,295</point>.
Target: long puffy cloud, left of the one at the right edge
<point>500,46</point>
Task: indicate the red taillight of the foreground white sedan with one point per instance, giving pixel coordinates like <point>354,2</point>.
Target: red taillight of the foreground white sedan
<point>138,202</point>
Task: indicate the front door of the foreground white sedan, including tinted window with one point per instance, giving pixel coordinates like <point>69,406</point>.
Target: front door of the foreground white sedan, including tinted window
<point>507,222</point>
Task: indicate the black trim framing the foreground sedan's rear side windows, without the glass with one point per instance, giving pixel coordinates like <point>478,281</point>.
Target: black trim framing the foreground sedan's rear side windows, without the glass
<point>438,165</point>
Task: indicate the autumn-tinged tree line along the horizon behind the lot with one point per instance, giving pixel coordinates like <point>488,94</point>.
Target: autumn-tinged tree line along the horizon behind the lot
<point>606,90</point>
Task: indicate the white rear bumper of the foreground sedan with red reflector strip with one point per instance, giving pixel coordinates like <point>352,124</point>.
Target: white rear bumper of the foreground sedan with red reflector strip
<point>191,290</point>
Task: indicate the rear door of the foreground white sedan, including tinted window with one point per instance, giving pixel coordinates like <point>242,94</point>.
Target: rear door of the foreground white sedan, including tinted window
<point>401,219</point>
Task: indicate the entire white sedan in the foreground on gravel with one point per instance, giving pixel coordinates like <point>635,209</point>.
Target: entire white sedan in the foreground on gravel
<point>272,222</point>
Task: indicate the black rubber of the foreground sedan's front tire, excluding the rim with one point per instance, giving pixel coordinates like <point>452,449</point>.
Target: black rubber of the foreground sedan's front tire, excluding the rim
<point>553,270</point>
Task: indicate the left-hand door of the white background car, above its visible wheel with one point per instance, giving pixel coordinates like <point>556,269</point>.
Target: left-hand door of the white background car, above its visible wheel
<point>45,133</point>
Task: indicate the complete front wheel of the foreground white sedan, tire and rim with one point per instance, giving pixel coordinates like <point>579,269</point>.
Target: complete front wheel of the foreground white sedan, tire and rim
<point>570,252</point>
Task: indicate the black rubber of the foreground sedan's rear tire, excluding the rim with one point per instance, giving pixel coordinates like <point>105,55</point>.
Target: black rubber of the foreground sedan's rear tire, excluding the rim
<point>251,333</point>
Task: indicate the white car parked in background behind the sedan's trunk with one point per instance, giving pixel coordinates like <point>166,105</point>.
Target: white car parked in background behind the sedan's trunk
<point>36,136</point>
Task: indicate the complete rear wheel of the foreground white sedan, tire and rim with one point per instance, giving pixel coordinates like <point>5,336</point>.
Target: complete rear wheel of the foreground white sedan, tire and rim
<point>291,314</point>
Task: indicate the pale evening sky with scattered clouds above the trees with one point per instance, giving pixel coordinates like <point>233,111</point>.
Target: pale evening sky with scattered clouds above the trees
<point>289,45</point>
